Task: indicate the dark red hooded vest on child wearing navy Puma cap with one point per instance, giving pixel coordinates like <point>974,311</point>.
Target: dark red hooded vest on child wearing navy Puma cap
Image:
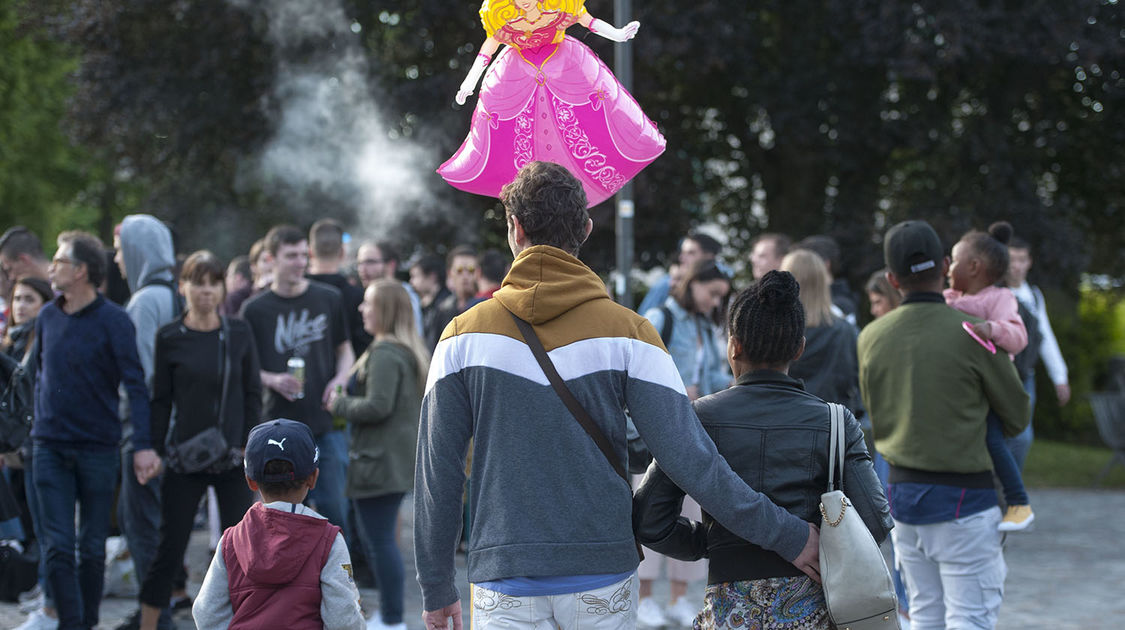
<point>274,562</point>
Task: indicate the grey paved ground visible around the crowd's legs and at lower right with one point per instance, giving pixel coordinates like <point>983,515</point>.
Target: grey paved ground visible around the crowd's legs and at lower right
<point>1066,574</point>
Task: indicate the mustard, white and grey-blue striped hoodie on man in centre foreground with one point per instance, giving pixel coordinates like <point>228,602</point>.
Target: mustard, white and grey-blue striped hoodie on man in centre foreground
<point>545,501</point>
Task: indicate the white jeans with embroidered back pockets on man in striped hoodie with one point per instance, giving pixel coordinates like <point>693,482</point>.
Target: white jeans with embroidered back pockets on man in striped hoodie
<point>610,608</point>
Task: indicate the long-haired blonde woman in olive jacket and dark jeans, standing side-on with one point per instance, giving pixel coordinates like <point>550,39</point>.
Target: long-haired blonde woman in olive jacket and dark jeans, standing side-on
<point>382,407</point>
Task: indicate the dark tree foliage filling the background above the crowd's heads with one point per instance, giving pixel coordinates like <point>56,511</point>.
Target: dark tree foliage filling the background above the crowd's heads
<point>839,116</point>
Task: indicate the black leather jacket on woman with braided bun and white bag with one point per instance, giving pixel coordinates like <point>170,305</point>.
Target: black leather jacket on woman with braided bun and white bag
<point>776,437</point>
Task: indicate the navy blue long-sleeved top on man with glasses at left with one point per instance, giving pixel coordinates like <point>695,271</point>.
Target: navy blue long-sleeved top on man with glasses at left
<point>83,361</point>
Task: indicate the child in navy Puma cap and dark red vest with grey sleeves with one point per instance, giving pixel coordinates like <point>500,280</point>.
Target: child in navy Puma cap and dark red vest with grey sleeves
<point>284,566</point>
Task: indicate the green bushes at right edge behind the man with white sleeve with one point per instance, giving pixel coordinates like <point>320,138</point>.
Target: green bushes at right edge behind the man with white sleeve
<point>1090,335</point>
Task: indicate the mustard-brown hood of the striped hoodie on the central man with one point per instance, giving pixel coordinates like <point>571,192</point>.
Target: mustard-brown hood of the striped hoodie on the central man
<point>571,283</point>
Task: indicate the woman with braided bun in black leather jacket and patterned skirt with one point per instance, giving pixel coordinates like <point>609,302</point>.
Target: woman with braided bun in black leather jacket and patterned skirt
<point>776,436</point>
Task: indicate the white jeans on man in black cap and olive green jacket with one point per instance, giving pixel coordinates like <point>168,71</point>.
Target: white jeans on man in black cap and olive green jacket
<point>953,571</point>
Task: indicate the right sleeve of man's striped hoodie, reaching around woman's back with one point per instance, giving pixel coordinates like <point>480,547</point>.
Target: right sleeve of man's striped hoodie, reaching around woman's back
<point>673,434</point>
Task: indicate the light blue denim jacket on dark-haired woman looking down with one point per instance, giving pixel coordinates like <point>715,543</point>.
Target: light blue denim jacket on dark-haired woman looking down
<point>696,348</point>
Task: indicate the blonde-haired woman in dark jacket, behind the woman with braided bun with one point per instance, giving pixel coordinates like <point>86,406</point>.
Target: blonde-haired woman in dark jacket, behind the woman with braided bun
<point>829,366</point>
